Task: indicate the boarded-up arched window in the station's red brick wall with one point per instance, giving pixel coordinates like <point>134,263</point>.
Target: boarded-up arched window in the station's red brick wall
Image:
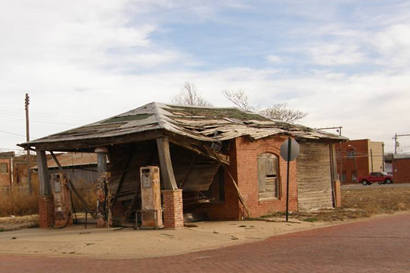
<point>268,165</point>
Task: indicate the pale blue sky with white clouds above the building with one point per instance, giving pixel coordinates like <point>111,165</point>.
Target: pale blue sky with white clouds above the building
<point>346,63</point>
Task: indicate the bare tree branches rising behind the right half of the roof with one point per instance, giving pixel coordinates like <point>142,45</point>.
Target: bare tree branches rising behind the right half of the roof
<point>277,111</point>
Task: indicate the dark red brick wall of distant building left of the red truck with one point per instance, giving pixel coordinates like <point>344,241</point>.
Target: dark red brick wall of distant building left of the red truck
<point>359,163</point>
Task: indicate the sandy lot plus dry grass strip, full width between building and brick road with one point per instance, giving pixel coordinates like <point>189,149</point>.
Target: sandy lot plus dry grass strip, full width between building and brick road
<point>128,243</point>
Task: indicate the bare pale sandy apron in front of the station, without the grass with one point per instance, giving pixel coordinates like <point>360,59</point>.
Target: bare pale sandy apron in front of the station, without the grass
<point>129,243</point>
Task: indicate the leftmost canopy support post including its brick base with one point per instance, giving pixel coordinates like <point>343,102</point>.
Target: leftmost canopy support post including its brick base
<point>46,204</point>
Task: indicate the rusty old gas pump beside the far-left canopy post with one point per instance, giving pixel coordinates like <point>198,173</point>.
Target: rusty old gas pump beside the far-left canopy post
<point>62,201</point>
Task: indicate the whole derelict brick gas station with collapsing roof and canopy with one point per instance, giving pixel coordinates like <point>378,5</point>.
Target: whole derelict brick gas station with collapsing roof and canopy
<point>159,162</point>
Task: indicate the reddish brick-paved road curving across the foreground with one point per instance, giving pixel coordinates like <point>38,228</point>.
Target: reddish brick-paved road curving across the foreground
<point>376,245</point>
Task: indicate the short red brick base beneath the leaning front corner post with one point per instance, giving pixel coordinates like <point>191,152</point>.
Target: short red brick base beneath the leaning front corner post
<point>173,209</point>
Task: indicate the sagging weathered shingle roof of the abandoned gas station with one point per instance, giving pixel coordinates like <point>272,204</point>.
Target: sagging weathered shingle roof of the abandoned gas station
<point>200,123</point>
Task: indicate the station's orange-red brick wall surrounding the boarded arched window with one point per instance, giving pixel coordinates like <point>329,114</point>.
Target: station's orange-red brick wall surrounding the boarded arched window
<point>244,168</point>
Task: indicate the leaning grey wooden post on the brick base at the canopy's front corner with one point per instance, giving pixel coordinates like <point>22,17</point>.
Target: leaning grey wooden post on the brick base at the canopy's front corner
<point>167,172</point>
